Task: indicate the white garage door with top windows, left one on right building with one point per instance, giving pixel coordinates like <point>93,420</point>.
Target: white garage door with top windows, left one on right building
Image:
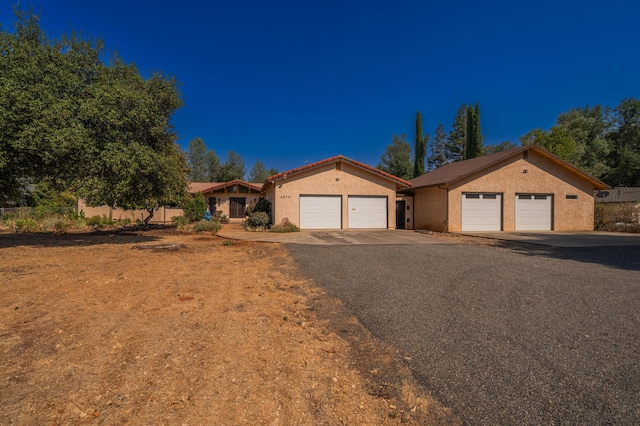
<point>481,212</point>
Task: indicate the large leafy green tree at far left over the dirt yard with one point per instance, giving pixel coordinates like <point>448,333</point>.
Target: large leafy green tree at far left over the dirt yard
<point>99,129</point>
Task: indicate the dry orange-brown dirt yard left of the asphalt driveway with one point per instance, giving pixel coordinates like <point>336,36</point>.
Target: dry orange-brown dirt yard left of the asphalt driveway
<point>169,328</point>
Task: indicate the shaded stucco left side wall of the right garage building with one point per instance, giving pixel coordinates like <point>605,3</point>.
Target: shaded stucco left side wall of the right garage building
<point>430,209</point>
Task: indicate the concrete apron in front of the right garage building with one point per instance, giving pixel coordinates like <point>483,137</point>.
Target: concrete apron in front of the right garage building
<point>565,239</point>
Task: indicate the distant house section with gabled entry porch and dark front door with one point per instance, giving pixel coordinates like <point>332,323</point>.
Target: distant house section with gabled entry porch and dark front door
<point>228,198</point>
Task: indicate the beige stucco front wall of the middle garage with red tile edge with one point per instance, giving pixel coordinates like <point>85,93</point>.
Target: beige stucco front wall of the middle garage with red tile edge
<point>331,179</point>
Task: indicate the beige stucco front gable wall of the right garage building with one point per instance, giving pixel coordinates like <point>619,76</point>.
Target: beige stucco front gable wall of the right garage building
<point>542,176</point>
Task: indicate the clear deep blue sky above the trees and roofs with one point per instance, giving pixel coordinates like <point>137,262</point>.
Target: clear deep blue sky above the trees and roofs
<point>289,82</point>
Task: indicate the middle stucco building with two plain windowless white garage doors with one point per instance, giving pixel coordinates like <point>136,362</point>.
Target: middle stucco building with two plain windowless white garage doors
<point>338,193</point>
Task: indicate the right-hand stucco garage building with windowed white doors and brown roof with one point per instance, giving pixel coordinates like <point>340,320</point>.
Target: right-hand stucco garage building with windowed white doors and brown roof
<point>522,189</point>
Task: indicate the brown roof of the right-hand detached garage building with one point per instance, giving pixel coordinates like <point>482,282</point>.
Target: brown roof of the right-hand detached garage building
<point>457,171</point>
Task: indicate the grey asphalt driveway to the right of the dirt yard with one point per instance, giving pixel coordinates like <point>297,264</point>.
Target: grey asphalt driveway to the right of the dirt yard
<point>501,337</point>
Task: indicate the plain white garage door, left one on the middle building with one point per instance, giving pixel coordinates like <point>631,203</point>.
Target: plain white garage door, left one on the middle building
<point>320,212</point>
